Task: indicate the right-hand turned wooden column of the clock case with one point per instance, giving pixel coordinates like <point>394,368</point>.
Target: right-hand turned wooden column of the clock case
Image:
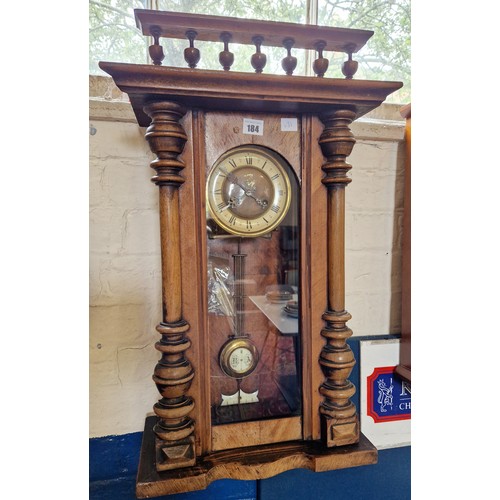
<point>339,421</point>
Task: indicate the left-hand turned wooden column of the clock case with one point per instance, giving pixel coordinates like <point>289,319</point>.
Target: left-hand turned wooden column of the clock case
<point>173,373</point>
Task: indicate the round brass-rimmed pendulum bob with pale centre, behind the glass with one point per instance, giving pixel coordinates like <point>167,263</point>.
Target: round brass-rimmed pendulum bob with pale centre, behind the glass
<point>238,357</point>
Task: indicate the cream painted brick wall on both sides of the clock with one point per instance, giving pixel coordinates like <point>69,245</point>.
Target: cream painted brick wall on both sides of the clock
<point>125,287</point>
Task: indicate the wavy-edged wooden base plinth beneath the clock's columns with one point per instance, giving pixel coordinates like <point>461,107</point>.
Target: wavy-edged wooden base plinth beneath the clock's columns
<point>258,462</point>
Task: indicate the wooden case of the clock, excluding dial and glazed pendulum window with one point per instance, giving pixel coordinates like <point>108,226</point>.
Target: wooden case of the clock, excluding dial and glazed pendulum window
<point>192,117</point>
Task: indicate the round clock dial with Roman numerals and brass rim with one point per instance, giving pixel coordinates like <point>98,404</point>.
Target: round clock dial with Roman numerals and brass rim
<point>248,191</point>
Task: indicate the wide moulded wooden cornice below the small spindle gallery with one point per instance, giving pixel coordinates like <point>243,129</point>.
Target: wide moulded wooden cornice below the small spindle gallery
<point>229,91</point>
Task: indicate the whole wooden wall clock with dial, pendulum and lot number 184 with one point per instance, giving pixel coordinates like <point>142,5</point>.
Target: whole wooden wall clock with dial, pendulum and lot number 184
<point>254,366</point>
